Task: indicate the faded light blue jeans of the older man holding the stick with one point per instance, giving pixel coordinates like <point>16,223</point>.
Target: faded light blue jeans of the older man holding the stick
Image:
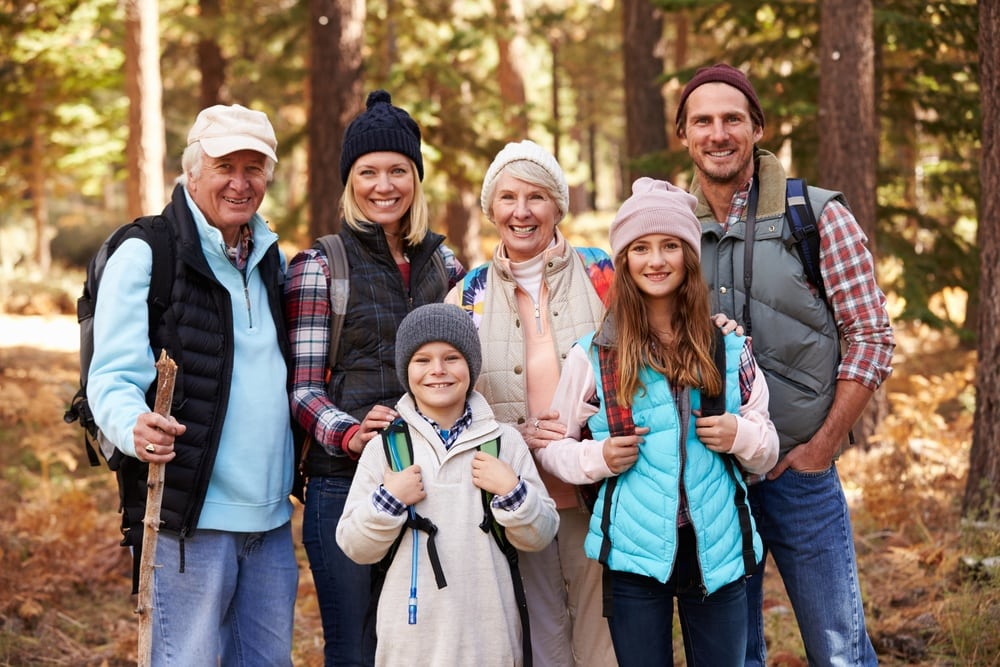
<point>234,604</point>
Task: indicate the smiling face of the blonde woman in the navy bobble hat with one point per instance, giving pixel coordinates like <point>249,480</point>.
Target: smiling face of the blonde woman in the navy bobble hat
<point>383,184</point>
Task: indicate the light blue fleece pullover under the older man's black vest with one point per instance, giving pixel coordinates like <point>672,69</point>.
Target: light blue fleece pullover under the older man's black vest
<point>252,476</point>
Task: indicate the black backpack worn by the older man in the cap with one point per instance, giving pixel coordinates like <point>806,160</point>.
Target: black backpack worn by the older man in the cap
<point>157,232</point>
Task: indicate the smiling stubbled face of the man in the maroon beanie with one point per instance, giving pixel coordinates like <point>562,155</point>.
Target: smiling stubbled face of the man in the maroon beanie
<point>719,134</point>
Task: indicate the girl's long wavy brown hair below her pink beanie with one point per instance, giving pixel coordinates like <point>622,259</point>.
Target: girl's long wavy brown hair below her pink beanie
<point>686,363</point>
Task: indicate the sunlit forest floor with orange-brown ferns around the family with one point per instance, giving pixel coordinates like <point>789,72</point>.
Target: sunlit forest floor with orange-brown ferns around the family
<point>64,582</point>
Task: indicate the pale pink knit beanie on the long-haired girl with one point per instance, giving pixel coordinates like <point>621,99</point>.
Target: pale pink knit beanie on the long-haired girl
<point>656,207</point>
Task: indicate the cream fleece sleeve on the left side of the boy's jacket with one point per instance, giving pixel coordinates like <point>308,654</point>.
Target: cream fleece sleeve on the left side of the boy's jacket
<point>364,533</point>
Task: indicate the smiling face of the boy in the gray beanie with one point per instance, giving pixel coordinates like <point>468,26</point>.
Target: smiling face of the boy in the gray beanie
<point>438,376</point>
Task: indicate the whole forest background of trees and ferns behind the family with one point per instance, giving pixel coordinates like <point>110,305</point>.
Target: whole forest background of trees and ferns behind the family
<point>893,102</point>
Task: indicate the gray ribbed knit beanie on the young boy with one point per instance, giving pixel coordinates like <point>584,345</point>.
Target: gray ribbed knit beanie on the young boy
<point>435,322</point>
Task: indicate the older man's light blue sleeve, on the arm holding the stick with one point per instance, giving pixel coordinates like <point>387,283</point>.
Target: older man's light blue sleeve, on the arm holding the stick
<point>123,367</point>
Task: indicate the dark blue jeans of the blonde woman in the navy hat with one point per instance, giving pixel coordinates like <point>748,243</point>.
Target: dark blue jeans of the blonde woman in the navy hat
<point>342,586</point>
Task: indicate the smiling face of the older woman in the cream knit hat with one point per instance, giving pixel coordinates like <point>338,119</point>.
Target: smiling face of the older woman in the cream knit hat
<point>525,215</point>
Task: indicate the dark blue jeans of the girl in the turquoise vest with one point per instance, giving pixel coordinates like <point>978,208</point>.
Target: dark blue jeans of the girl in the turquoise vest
<point>714,626</point>
